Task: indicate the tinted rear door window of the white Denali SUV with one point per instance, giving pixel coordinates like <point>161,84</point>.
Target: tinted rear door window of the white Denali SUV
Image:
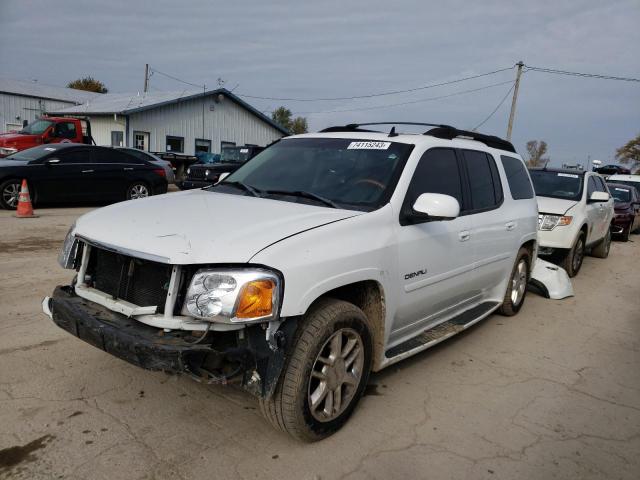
<point>482,181</point>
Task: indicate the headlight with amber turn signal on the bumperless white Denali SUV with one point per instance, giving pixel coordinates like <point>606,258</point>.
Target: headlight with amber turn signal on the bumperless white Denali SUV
<point>233,295</point>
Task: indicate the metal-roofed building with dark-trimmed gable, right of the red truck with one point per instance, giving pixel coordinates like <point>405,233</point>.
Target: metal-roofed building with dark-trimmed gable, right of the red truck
<point>185,122</point>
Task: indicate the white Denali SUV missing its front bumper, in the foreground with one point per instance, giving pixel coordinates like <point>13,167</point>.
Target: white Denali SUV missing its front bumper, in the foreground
<point>323,258</point>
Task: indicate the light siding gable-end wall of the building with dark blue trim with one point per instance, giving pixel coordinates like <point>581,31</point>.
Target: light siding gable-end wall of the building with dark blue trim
<point>226,122</point>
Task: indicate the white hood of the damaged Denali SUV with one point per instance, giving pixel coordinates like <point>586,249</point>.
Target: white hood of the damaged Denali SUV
<point>197,227</point>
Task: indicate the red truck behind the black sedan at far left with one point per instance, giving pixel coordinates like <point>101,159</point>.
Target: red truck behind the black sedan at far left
<point>46,130</point>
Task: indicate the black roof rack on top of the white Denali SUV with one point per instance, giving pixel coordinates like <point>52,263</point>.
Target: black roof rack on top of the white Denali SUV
<point>440,131</point>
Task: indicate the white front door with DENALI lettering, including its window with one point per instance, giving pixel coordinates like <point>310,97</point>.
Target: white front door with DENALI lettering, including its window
<point>435,258</point>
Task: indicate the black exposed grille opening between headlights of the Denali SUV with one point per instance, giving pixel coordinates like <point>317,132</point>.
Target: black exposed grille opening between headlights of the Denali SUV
<point>141,282</point>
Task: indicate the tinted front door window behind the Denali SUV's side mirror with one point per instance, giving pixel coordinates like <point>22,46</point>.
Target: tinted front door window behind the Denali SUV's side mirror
<point>437,172</point>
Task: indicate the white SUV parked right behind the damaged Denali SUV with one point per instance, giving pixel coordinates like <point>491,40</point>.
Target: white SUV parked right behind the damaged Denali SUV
<point>576,210</point>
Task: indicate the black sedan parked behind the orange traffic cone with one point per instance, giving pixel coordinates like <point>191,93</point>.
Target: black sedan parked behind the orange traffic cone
<point>68,172</point>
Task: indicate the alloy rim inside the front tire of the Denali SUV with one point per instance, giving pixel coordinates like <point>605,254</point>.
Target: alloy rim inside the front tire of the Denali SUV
<point>336,375</point>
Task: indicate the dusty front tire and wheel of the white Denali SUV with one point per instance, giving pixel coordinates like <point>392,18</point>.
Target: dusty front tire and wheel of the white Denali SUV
<point>325,374</point>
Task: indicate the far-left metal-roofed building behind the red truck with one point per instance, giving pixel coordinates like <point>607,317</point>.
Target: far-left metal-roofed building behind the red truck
<point>24,101</point>
